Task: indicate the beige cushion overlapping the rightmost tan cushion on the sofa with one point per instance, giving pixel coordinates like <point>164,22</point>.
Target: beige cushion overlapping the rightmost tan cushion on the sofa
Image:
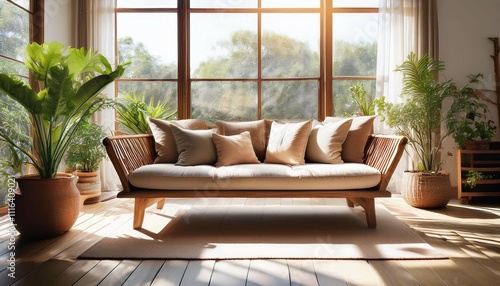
<point>325,142</point>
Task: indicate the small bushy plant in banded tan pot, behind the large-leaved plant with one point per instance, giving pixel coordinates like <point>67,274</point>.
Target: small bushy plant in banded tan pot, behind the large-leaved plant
<point>84,155</point>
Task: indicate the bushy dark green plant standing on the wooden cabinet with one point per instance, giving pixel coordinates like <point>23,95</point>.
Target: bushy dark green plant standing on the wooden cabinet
<point>466,120</point>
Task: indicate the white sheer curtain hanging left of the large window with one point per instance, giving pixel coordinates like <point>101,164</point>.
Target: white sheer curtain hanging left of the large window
<point>96,29</point>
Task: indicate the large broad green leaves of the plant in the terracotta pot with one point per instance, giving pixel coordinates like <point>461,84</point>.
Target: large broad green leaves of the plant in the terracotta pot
<point>68,83</point>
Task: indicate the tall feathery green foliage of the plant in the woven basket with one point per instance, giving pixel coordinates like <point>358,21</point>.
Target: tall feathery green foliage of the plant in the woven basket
<point>420,116</point>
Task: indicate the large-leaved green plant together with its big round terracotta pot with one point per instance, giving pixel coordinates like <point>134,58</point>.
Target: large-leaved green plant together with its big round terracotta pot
<point>68,81</point>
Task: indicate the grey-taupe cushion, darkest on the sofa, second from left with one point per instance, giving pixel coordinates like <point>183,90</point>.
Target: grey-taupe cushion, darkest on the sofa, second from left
<point>195,147</point>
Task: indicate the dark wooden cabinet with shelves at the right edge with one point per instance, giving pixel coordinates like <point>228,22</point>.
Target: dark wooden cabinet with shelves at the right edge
<point>487,162</point>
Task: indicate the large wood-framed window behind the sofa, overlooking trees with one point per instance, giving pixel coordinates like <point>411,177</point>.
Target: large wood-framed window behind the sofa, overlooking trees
<point>247,60</point>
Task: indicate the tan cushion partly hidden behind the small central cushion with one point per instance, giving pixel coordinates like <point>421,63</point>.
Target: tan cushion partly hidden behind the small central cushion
<point>257,131</point>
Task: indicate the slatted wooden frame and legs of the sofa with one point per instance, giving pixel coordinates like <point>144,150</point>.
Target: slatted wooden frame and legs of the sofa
<point>130,152</point>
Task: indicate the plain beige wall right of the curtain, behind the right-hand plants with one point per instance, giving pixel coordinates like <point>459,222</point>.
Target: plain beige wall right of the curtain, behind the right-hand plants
<point>464,28</point>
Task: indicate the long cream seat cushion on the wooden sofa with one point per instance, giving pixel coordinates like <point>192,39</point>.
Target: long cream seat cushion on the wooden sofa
<point>310,176</point>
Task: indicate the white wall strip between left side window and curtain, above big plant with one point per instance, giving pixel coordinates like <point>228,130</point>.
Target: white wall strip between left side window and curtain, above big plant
<point>60,19</point>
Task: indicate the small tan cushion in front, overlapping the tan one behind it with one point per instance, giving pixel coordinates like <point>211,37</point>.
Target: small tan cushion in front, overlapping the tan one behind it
<point>234,149</point>
